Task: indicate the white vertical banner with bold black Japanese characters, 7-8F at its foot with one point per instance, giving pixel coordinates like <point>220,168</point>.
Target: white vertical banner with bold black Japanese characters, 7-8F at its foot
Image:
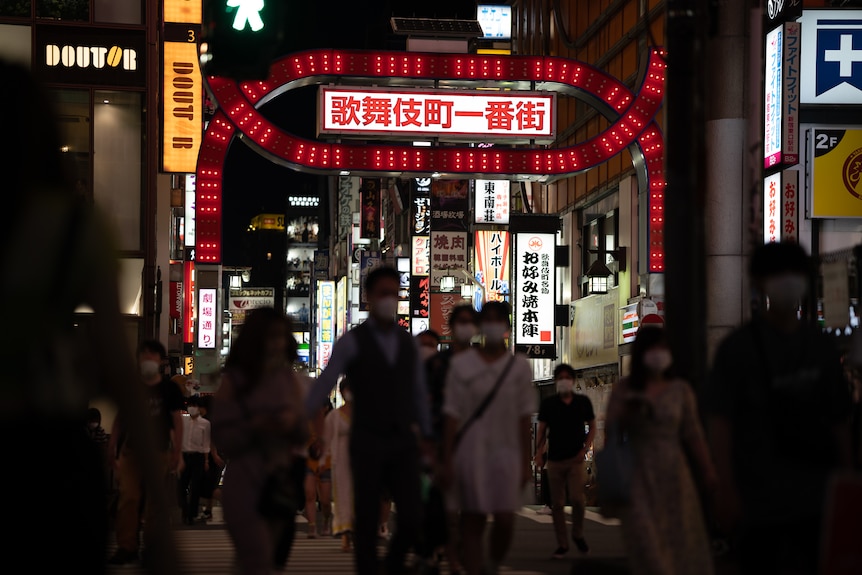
<point>533,302</point>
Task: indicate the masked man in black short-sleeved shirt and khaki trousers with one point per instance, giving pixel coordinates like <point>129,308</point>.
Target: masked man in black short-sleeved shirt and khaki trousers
<point>567,422</point>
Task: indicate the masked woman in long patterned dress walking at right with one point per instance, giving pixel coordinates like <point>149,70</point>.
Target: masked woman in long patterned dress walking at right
<point>663,526</point>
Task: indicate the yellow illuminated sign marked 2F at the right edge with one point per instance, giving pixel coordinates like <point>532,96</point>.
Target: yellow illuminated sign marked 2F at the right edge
<point>836,189</point>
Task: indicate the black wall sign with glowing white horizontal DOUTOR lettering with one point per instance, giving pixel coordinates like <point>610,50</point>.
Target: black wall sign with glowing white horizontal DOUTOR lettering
<point>71,55</point>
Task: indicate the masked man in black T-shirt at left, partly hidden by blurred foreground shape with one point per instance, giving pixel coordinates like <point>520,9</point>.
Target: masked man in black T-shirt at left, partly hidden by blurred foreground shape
<point>164,404</point>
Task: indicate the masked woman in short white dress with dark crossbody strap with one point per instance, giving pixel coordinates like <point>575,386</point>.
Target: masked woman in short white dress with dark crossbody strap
<point>487,458</point>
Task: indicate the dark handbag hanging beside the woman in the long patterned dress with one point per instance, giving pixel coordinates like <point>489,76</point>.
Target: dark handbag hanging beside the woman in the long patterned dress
<point>615,465</point>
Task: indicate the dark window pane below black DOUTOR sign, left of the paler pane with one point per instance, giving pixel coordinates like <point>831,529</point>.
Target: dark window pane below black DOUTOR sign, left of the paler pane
<point>73,114</point>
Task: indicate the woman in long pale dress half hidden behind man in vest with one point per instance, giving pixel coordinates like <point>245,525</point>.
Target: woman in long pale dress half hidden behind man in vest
<point>336,438</point>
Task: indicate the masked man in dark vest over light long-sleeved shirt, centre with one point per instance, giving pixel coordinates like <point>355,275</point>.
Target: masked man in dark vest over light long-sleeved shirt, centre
<point>390,417</point>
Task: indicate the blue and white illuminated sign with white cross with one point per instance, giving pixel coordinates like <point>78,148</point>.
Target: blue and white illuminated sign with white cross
<point>832,59</point>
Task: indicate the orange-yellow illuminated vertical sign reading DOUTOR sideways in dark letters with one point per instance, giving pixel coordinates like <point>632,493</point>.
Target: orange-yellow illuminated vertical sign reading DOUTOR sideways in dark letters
<point>182,90</point>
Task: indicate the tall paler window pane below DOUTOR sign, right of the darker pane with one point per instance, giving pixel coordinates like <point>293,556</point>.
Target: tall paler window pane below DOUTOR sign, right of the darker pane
<point>118,162</point>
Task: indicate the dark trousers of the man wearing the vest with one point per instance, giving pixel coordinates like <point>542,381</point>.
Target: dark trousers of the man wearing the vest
<point>385,464</point>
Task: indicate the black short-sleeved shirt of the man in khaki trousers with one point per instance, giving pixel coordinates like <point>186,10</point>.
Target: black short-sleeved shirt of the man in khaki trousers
<point>566,424</point>
